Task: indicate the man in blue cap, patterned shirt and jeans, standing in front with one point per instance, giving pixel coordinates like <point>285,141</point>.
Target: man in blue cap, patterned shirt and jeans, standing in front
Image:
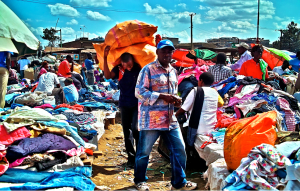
<point>156,90</point>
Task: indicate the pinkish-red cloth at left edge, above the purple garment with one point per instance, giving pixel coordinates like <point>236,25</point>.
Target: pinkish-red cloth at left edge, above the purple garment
<point>9,138</point>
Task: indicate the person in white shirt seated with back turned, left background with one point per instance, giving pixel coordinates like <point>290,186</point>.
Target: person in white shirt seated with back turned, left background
<point>47,84</point>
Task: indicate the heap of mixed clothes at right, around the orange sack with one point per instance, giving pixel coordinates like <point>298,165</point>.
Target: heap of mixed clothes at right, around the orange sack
<point>245,97</point>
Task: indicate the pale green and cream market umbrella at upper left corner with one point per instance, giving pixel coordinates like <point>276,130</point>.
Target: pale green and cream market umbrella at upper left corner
<point>14,34</point>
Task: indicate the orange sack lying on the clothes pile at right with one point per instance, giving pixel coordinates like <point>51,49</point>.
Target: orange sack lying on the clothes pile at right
<point>242,135</point>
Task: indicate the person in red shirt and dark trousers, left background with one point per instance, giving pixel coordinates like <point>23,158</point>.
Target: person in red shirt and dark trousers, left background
<point>66,71</point>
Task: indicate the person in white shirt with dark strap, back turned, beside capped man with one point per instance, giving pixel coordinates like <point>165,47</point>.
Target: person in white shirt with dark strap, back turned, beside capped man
<point>208,117</point>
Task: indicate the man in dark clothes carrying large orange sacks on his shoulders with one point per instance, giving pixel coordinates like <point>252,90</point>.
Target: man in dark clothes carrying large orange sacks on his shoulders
<point>127,73</point>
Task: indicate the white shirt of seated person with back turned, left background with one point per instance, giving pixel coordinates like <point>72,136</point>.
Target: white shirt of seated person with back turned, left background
<point>47,82</point>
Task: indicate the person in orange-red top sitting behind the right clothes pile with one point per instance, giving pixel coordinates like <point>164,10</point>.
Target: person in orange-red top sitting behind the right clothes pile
<point>252,67</point>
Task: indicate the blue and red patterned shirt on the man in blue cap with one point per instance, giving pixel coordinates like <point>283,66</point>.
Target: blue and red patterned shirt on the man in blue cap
<point>154,113</point>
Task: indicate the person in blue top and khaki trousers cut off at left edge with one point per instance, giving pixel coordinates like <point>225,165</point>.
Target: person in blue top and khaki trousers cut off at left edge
<point>5,60</point>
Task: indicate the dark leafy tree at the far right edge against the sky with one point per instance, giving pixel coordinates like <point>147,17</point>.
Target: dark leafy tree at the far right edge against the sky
<point>290,39</point>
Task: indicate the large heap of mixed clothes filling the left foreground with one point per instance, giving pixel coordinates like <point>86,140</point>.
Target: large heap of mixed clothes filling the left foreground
<point>43,146</point>
